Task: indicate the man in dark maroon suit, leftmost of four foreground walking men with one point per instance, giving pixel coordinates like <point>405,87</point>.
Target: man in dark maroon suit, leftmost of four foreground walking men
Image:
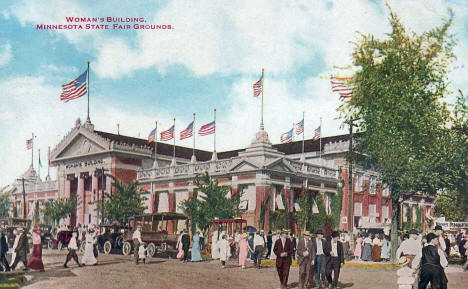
<point>283,250</point>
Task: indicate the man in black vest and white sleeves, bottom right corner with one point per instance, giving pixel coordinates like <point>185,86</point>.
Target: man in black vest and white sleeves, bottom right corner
<point>433,261</point>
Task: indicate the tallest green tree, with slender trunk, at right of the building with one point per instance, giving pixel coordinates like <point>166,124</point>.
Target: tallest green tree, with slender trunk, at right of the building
<point>398,104</point>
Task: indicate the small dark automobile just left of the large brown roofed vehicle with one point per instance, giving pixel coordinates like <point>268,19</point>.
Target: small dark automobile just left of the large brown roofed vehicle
<point>112,237</point>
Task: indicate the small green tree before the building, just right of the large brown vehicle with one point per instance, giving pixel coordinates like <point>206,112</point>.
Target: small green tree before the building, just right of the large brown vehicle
<point>208,202</point>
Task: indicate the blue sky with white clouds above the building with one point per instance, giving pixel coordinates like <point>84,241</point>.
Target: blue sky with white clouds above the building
<point>210,58</point>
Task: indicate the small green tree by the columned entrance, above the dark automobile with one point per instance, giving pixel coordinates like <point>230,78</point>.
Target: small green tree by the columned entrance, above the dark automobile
<point>125,202</point>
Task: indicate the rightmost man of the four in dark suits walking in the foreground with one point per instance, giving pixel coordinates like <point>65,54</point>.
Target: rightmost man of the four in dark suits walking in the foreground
<point>333,249</point>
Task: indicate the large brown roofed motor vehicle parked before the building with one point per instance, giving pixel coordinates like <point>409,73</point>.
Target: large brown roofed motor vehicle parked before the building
<point>154,232</point>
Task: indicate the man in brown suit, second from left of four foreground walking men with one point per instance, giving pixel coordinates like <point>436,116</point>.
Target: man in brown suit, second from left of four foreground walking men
<point>305,259</point>
